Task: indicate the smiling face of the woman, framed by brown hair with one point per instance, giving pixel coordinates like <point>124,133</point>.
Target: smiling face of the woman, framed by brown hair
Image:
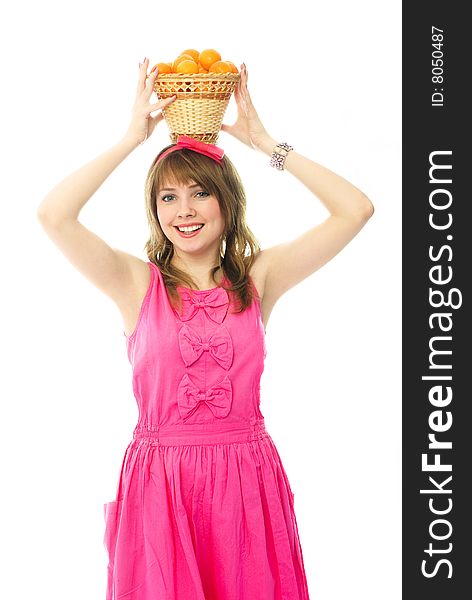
<point>190,205</point>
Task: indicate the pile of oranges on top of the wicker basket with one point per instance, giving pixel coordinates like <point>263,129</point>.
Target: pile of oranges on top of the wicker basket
<point>192,62</point>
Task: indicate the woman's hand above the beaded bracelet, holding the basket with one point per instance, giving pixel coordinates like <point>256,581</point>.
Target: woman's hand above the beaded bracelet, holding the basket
<point>248,127</point>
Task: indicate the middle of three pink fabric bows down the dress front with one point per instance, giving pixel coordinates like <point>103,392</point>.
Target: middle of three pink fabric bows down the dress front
<point>219,346</point>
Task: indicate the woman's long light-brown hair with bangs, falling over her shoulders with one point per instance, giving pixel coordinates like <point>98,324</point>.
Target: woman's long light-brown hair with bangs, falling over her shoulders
<point>238,245</point>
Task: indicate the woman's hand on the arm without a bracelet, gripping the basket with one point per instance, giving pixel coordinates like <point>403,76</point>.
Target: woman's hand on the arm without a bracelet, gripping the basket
<point>142,124</point>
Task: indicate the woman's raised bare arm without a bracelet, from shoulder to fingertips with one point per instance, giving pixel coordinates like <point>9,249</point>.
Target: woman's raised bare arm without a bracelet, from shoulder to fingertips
<point>114,272</point>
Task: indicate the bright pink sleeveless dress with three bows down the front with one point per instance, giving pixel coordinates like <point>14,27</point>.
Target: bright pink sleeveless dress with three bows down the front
<point>204,508</point>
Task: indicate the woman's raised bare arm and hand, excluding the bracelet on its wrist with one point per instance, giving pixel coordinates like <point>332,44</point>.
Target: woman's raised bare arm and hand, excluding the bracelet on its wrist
<point>286,264</point>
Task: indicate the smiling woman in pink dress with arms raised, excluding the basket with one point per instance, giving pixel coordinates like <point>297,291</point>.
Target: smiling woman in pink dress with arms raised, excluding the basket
<point>203,508</point>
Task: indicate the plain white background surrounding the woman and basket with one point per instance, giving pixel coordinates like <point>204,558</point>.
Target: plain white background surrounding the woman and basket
<point>328,81</point>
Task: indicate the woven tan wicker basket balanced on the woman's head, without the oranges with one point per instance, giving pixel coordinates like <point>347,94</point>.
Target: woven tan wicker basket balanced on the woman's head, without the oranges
<point>201,103</point>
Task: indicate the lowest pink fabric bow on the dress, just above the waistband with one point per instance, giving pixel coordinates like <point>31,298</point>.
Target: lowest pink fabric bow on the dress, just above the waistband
<point>218,398</point>
